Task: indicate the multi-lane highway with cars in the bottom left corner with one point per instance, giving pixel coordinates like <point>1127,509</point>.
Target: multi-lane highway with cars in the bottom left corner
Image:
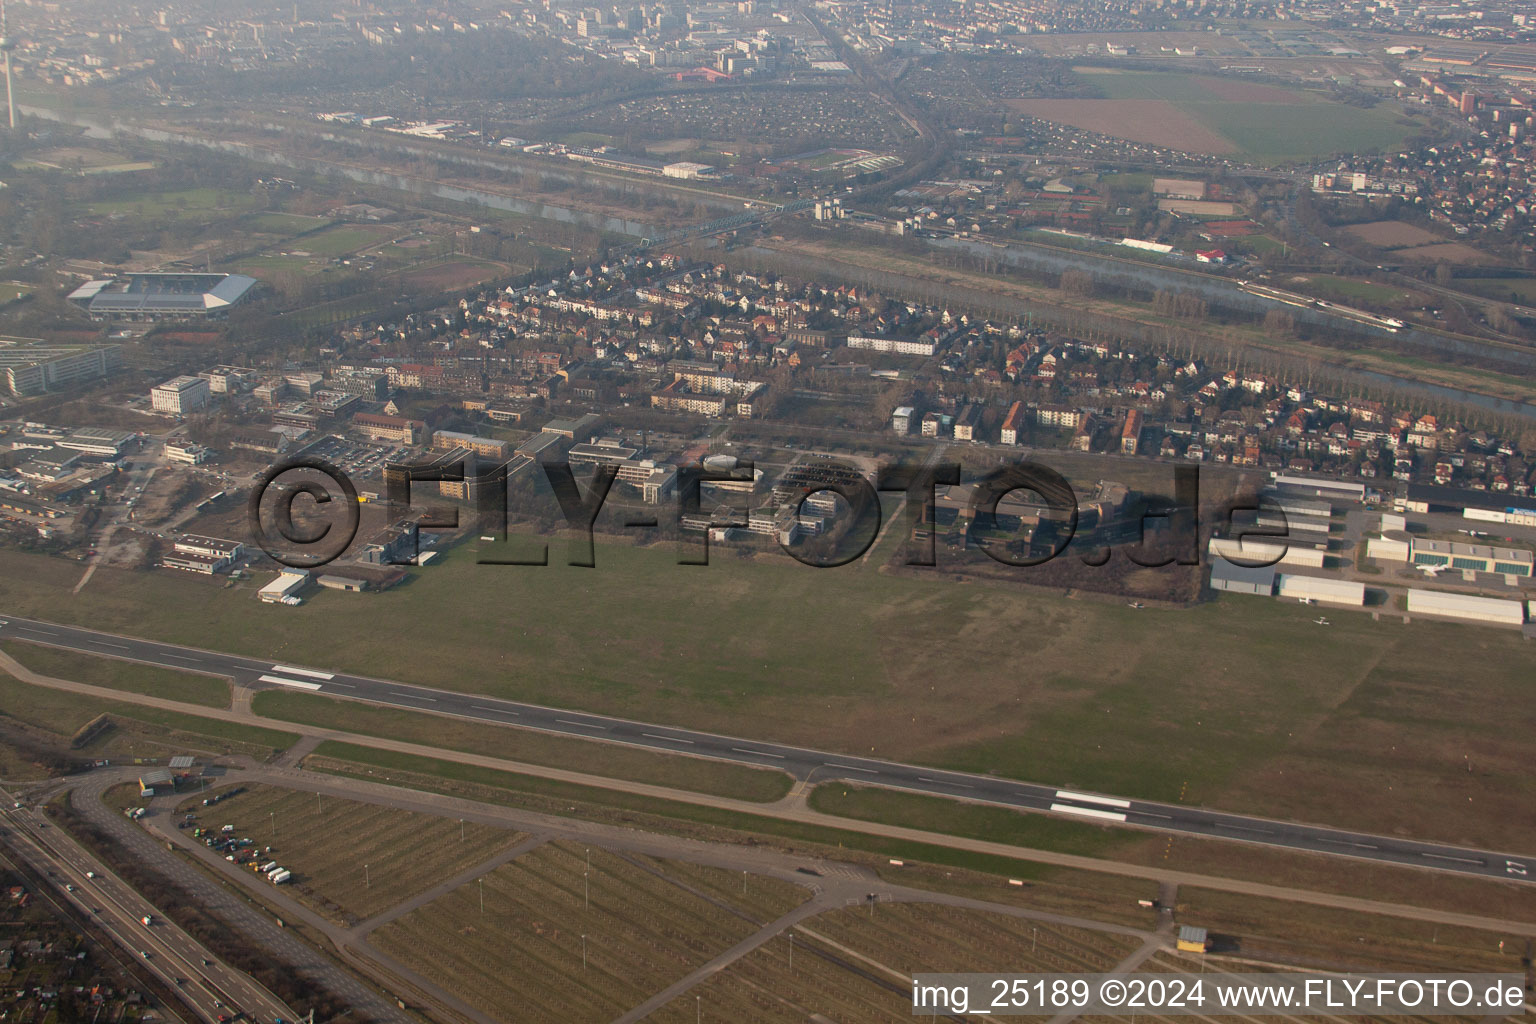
<point>205,983</point>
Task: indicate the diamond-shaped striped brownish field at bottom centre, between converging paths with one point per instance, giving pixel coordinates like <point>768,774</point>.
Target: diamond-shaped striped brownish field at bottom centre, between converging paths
<point>647,923</point>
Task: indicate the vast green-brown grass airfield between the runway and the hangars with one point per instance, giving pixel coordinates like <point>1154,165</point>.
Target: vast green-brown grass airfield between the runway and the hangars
<point>1240,704</point>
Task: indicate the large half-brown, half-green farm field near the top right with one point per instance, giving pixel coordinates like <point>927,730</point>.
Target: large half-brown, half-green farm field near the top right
<point>1222,116</point>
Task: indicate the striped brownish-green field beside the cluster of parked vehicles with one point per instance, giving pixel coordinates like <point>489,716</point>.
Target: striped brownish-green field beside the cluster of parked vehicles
<point>353,860</point>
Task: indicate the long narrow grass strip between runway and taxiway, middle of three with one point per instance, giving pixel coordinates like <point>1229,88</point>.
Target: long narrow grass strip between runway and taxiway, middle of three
<point>521,745</point>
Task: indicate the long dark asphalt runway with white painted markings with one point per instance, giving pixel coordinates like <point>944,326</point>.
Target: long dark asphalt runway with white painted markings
<point>803,764</point>
